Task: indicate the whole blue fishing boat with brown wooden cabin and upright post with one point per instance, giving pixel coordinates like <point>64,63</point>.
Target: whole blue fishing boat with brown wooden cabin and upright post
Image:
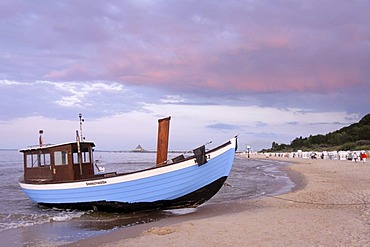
<point>65,176</point>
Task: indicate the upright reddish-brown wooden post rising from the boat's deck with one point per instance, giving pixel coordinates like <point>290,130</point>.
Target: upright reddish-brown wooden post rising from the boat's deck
<point>162,144</point>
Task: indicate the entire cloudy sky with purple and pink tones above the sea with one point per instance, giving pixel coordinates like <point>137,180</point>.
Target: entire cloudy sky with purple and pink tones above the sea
<point>267,70</point>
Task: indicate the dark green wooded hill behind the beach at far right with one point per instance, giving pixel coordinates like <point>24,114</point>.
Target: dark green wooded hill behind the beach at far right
<point>353,137</point>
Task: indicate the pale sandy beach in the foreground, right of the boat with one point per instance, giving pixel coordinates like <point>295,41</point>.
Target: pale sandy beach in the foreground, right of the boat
<point>330,206</point>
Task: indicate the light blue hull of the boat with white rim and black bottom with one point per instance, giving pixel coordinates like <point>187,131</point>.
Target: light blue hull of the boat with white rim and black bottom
<point>182,184</point>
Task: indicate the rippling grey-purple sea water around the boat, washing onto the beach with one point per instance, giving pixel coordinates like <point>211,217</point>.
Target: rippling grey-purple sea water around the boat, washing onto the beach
<point>23,223</point>
